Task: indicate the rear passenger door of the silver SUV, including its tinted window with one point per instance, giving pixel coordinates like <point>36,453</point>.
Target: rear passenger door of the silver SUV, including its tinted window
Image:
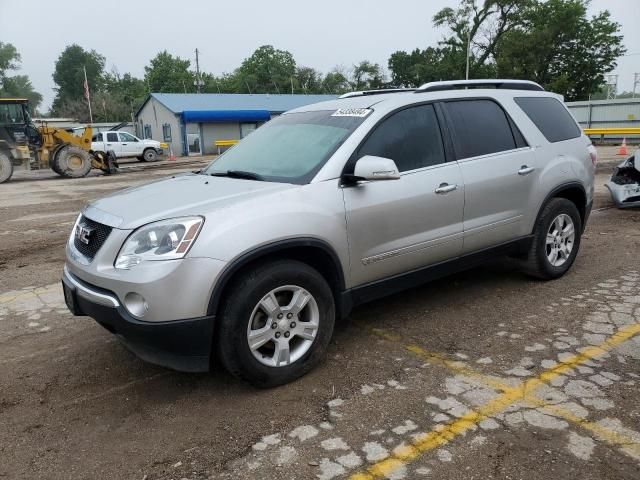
<point>499,170</point>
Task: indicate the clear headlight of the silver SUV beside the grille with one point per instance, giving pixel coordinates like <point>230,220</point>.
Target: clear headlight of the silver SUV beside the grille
<point>165,240</point>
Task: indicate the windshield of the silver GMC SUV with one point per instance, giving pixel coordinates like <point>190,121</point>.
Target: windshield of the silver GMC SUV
<point>290,148</point>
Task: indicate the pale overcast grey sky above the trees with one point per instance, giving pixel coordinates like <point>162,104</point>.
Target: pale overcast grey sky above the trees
<point>332,32</point>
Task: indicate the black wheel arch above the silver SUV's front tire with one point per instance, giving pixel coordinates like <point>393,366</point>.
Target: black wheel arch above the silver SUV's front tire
<point>316,253</point>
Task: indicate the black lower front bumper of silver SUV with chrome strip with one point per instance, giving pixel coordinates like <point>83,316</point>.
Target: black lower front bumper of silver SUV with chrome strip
<point>183,345</point>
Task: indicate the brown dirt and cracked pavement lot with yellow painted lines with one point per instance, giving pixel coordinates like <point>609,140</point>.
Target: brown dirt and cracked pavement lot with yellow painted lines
<point>487,374</point>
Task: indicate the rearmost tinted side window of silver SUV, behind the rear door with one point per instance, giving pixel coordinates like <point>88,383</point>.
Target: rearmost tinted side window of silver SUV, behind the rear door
<point>550,116</point>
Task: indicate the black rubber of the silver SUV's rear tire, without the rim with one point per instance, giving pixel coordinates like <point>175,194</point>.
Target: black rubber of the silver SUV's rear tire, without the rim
<point>537,264</point>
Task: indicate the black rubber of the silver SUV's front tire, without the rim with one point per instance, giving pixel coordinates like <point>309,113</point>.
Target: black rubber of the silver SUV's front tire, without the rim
<point>245,293</point>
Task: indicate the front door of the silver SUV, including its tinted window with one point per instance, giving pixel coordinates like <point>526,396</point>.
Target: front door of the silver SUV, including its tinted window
<point>395,226</point>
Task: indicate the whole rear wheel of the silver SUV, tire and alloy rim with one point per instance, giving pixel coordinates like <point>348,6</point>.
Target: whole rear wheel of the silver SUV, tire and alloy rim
<point>556,240</point>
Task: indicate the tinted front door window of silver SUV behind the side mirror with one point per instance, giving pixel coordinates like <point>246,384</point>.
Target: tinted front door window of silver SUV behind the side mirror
<point>410,137</point>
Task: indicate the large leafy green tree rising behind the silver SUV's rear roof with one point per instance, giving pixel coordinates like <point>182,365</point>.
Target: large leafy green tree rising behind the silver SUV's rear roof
<point>560,48</point>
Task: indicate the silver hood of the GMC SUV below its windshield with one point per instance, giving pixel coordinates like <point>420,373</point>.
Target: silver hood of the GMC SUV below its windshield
<point>178,196</point>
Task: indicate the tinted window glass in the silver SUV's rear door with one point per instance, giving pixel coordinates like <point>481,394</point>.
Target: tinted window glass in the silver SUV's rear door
<point>479,127</point>
